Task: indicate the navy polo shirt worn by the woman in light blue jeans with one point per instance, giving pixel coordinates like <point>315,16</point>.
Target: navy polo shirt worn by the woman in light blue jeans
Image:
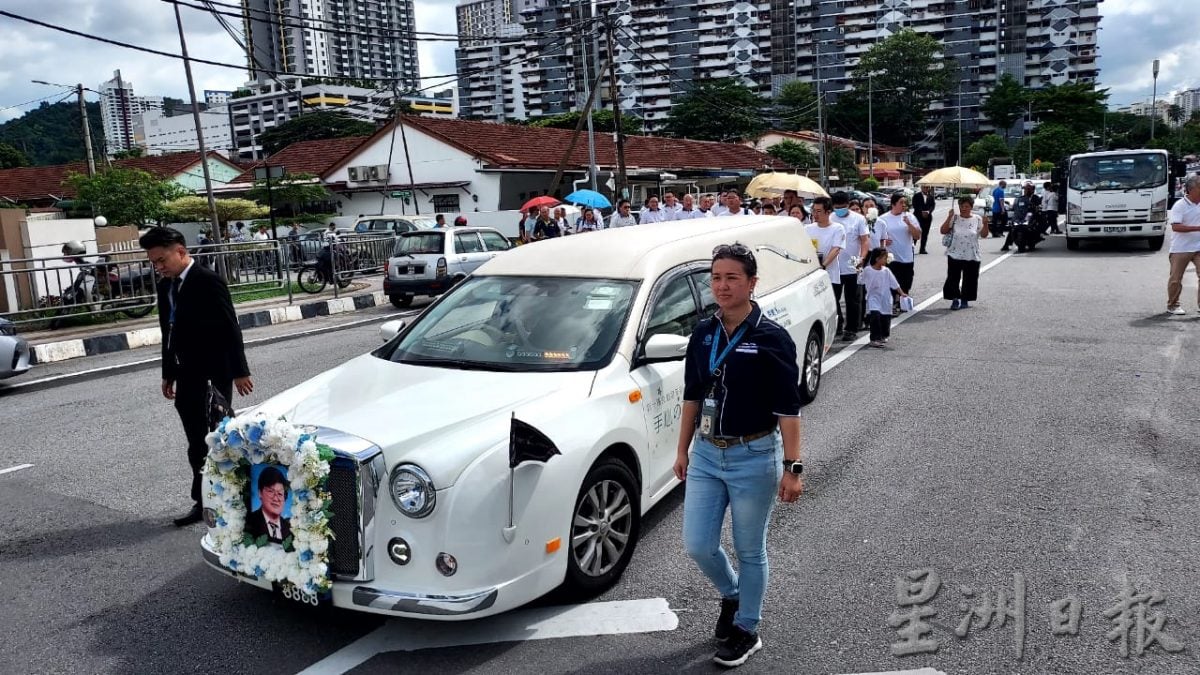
<point>760,380</point>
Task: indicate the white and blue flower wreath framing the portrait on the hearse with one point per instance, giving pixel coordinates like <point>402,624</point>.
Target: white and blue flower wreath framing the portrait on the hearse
<point>233,447</point>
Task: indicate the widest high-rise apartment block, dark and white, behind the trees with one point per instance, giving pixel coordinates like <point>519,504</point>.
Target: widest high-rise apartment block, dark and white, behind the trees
<point>663,46</point>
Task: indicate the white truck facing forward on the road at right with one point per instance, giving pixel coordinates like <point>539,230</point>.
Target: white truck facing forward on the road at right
<point>1118,195</point>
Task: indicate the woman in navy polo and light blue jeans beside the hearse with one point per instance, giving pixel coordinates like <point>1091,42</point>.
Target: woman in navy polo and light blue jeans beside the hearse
<point>742,395</point>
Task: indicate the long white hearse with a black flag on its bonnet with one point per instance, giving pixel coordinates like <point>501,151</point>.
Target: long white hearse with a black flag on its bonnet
<point>509,440</point>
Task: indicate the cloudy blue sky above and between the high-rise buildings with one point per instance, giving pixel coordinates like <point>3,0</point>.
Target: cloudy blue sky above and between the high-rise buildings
<point>1133,34</point>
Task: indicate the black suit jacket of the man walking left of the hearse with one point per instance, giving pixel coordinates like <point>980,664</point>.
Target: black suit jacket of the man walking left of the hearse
<point>206,342</point>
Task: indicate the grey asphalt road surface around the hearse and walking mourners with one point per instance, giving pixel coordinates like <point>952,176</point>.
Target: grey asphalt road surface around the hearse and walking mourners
<point>1048,432</point>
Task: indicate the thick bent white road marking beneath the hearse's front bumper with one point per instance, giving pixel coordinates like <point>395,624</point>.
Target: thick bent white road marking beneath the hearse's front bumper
<point>541,624</point>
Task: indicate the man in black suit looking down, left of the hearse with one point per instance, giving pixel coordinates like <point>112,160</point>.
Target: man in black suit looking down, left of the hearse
<point>201,344</point>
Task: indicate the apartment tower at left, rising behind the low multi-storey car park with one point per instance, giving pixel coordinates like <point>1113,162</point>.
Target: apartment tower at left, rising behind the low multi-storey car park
<point>332,39</point>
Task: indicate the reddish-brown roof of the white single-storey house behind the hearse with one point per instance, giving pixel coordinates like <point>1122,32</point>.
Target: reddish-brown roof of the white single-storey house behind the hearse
<point>509,146</point>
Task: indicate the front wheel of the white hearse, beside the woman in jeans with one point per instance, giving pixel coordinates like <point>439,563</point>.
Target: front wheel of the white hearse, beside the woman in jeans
<point>604,528</point>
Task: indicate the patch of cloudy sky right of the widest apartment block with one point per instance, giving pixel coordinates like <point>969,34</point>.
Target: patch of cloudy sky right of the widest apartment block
<point>1133,34</point>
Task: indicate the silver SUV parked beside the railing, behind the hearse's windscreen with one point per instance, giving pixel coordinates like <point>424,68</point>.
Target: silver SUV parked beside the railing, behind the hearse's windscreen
<point>430,262</point>
